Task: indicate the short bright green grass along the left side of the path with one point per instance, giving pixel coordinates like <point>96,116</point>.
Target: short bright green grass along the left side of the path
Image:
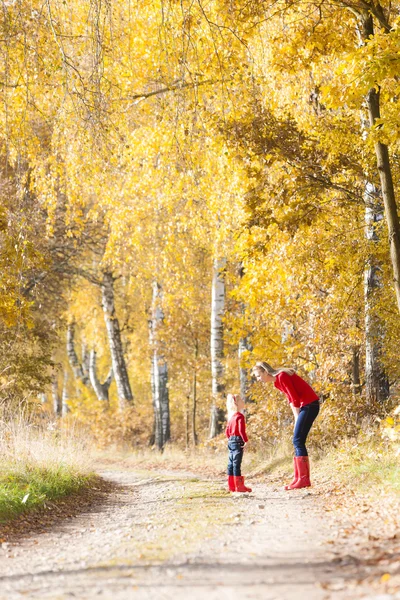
<point>32,487</point>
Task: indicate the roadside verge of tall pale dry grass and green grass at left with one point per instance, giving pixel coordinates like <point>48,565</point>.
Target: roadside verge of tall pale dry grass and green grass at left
<point>39,464</point>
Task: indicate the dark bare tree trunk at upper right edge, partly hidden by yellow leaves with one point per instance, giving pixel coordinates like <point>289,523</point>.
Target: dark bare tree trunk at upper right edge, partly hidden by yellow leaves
<point>385,173</point>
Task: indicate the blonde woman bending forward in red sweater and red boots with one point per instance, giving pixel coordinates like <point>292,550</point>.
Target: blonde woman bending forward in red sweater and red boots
<point>304,403</point>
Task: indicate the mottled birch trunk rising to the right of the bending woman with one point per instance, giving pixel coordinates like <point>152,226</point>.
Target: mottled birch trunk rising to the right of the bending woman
<point>376,381</point>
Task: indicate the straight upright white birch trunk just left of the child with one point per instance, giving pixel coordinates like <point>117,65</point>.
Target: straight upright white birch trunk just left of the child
<point>217,343</point>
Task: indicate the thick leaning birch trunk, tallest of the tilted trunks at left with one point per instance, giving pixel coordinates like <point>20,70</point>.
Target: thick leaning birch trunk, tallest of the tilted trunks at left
<point>115,342</point>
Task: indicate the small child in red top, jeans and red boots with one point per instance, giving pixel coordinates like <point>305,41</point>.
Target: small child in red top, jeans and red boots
<point>237,439</point>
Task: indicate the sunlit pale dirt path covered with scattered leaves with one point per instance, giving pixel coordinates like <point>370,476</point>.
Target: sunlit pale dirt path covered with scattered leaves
<point>171,535</point>
